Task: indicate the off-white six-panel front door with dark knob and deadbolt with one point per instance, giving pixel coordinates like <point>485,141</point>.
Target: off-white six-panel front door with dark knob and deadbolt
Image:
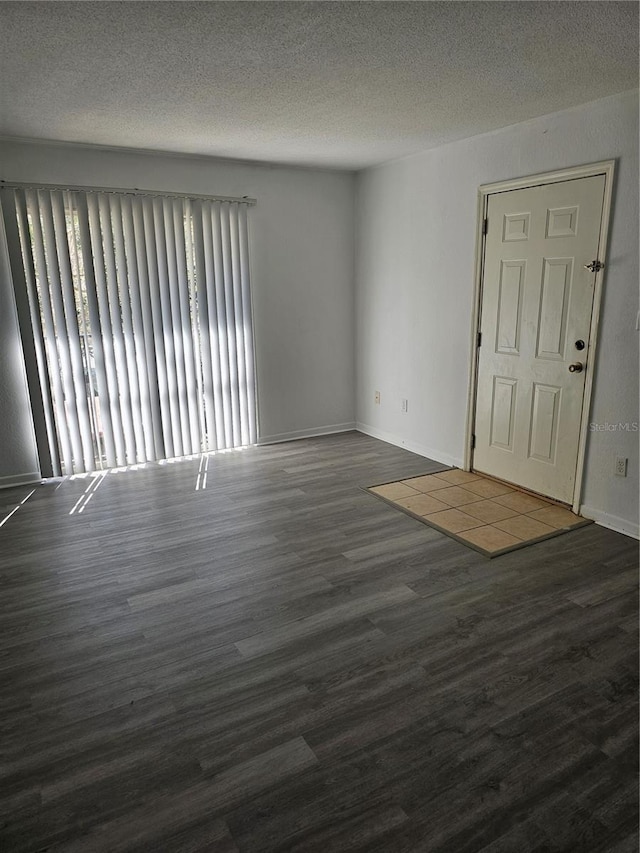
<point>537,299</point>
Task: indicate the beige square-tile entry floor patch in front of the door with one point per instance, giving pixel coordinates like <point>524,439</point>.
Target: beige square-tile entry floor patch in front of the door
<point>485,514</point>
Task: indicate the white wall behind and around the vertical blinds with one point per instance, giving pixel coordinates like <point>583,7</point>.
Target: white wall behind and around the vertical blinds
<point>301,233</point>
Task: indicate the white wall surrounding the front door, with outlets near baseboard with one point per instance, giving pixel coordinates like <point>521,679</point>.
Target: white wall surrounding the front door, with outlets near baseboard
<point>415,240</point>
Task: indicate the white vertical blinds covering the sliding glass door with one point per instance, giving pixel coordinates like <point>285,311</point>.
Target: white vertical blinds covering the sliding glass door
<point>140,309</point>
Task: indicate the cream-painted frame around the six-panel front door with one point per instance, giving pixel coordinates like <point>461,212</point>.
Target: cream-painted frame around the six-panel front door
<point>606,168</point>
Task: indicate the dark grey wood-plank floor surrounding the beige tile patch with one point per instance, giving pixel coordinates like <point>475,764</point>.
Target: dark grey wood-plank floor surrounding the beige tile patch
<point>281,662</point>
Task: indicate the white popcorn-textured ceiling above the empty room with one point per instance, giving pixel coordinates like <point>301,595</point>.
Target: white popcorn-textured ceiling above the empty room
<point>335,84</point>
